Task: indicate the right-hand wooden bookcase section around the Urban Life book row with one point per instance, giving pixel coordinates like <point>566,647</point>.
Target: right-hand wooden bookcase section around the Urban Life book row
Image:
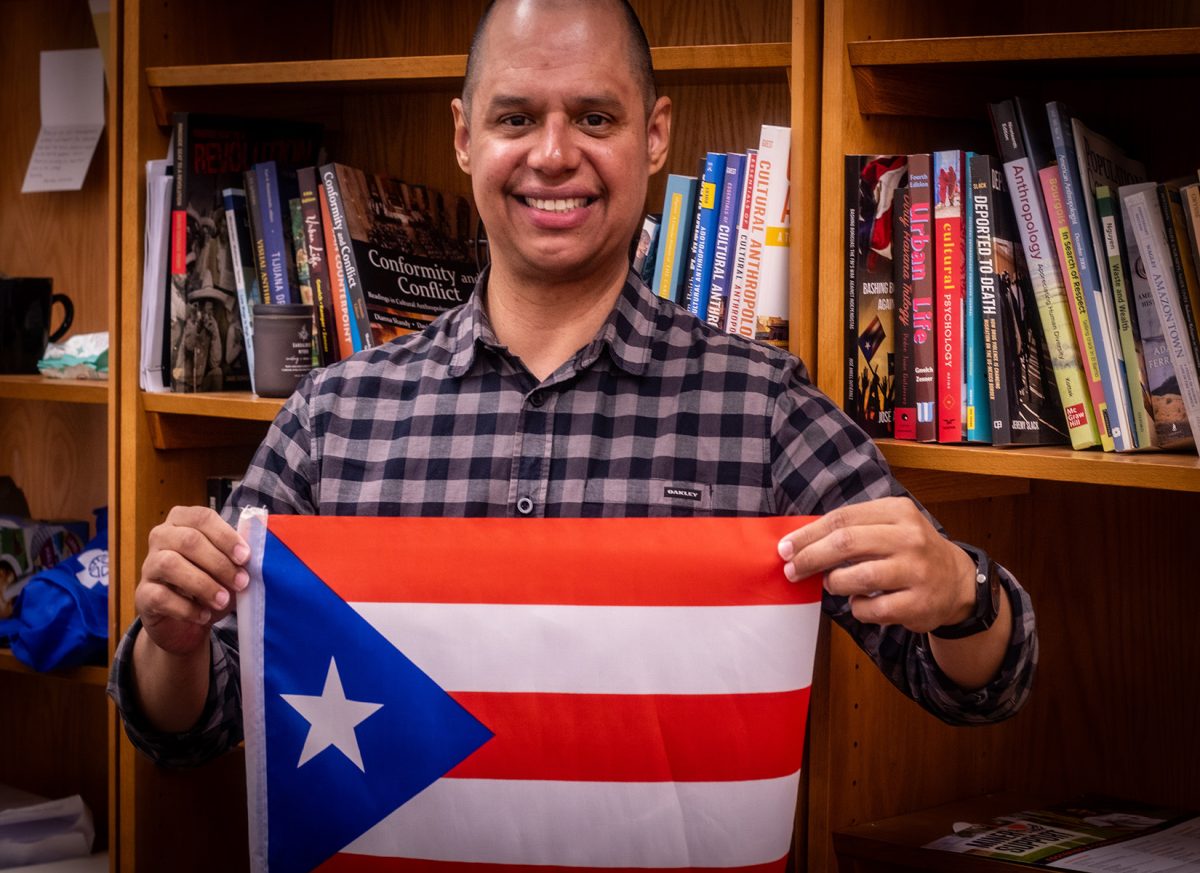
<point>1105,544</point>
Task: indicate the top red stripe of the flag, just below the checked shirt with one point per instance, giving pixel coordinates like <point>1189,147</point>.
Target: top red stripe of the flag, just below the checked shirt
<point>662,562</point>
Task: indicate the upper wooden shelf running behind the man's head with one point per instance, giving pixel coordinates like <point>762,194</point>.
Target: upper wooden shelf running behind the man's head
<point>185,87</point>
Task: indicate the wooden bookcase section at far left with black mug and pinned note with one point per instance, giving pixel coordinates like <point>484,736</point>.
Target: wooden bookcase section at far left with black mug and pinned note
<point>56,437</point>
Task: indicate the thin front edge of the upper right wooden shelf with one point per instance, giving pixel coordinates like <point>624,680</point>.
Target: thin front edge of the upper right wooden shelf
<point>1167,43</point>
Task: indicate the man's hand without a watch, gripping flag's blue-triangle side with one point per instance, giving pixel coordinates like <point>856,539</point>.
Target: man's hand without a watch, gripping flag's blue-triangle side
<point>189,580</point>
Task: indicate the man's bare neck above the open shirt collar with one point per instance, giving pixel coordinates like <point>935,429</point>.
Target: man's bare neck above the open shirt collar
<point>545,323</point>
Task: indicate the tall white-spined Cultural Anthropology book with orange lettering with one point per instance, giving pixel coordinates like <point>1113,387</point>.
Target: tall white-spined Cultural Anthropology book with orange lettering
<point>769,255</point>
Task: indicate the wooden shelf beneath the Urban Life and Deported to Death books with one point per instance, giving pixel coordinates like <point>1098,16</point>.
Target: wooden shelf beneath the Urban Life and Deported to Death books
<point>1159,471</point>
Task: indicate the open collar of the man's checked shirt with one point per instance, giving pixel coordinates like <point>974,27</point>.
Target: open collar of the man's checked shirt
<point>628,333</point>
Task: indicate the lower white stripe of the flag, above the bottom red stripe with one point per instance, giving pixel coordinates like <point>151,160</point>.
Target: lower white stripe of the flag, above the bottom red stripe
<point>572,824</point>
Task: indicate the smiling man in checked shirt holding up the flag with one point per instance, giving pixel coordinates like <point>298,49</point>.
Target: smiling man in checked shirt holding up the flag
<point>566,388</point>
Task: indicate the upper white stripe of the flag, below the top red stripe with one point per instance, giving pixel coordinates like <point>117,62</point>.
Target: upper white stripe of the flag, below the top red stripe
<point>604,651</point>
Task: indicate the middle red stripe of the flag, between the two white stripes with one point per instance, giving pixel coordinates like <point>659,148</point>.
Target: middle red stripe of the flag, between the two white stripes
<point>637,738</point>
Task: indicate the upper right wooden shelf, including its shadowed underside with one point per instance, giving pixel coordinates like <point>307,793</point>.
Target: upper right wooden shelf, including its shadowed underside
<point>902,77</point>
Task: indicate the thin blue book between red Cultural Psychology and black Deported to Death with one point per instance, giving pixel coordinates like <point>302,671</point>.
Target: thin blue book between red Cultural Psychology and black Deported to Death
<point>976,398</point>
